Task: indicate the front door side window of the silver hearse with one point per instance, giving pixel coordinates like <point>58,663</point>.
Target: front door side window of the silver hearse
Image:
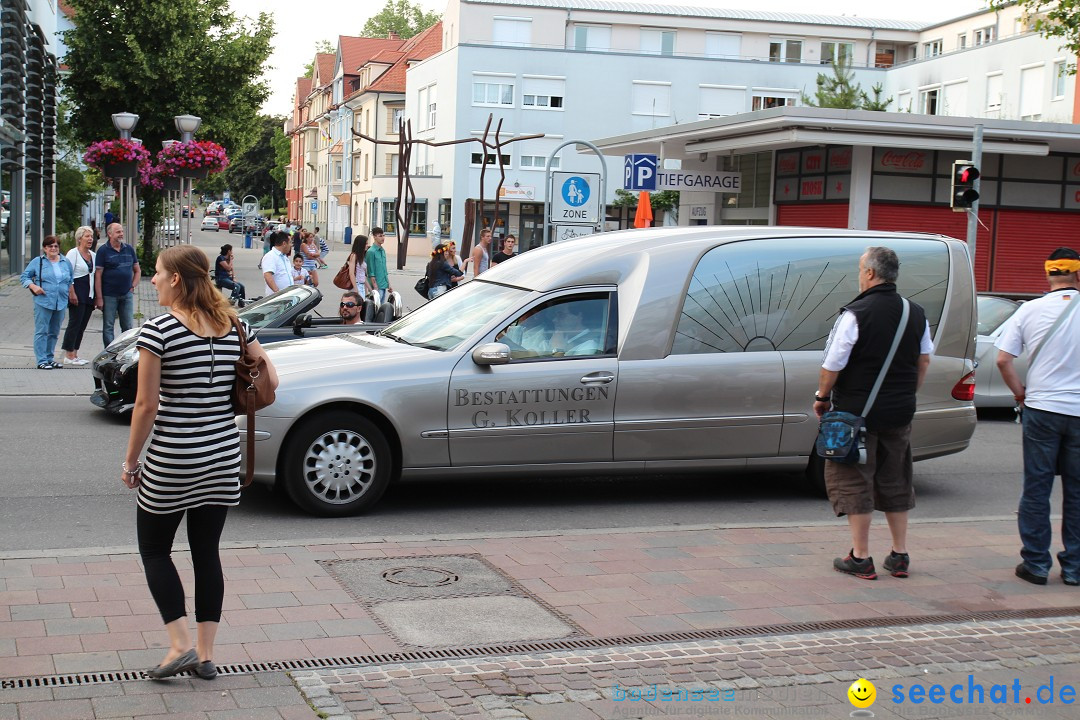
<point>576,327</point>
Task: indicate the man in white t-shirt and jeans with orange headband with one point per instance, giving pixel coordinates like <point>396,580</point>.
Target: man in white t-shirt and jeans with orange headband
<point>1049,331</point>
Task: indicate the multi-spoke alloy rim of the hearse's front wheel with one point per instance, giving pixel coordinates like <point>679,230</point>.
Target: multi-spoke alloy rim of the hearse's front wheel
<point>340,467</point>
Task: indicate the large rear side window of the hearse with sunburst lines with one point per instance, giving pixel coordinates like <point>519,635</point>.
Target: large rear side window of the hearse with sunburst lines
<point>785,294</point>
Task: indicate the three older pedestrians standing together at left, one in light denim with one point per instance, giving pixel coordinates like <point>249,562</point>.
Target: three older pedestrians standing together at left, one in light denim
<point>76,286</point>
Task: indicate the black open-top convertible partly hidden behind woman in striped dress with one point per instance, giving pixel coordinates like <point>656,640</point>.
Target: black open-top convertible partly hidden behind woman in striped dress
<point>286,316</point>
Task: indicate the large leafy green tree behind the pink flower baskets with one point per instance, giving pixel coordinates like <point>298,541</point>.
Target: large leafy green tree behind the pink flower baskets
<point>160,59</point>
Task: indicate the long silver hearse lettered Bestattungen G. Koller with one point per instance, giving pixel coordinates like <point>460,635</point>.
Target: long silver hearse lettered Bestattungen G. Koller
<point>642,351</point>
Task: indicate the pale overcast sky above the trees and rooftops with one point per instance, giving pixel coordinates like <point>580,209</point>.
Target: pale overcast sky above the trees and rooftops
<point>301,24</point>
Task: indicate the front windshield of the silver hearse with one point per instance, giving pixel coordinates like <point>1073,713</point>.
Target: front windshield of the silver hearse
<point>452,318</point>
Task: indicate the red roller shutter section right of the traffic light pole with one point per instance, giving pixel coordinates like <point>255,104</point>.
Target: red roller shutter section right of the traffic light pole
<point>1025,239</point>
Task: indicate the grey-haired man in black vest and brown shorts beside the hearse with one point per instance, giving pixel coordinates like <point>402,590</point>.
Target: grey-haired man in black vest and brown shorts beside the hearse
<point>857,349</point>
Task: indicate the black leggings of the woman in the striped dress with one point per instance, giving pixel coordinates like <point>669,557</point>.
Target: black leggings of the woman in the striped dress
<point>156,534</point>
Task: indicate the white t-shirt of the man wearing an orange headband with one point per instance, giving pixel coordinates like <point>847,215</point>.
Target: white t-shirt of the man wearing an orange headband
<point>1054,382</point>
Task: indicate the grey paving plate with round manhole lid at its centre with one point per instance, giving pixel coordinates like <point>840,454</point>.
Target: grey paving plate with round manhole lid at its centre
<point>382,579</point>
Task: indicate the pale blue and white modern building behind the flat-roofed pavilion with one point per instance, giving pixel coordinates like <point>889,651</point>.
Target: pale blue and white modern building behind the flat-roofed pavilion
<point>579,71</point>
